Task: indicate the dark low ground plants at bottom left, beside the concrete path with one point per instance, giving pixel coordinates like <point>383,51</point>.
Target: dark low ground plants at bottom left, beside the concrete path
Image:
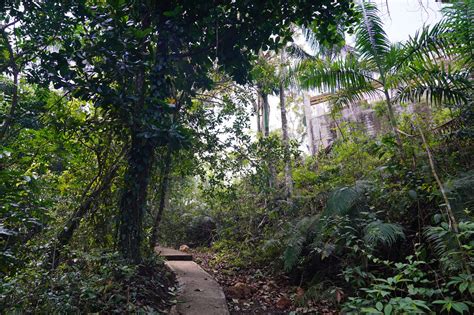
<point>89,282</point>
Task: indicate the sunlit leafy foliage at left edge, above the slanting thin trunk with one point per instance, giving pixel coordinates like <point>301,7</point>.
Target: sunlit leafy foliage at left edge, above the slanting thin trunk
<point>38,167</point>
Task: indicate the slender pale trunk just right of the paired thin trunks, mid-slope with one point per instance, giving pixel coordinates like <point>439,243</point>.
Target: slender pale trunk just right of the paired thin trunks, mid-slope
<point>284,130</point>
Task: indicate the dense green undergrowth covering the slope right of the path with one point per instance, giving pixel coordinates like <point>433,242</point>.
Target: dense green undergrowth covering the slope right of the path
<point>362,223</point>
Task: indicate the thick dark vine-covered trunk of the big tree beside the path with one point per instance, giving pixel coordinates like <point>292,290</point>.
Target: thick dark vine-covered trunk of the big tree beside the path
<point>133,199</point>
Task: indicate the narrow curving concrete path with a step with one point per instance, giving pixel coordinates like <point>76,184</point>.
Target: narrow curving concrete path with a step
<point>199,293</point>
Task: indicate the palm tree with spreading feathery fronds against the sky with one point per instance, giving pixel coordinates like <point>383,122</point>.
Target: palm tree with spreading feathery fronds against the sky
<point>392,71</point>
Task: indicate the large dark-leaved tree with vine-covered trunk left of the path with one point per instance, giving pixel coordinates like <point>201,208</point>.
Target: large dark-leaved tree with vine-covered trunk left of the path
<point>128,56</point>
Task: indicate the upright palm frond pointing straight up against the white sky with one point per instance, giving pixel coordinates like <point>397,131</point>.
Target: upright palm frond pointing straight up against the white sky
<point>371,40</point>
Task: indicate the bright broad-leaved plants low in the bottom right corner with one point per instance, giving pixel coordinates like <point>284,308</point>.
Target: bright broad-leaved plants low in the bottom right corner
<point>410,290</point>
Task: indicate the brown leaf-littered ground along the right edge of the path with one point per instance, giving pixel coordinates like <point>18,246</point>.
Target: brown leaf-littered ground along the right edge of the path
<point>252,290</point>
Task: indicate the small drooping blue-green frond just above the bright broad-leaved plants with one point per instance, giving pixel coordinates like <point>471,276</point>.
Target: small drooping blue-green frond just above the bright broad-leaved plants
<point>382,233</point>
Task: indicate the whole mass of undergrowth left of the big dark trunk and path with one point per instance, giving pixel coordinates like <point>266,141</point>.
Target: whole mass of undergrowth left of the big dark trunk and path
<point>52,153</point>
